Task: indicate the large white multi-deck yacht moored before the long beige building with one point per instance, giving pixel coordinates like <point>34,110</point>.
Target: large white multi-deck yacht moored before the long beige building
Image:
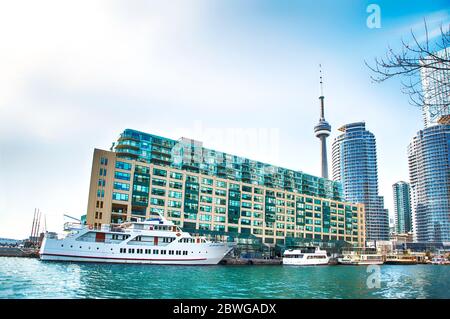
<point>151,241</point>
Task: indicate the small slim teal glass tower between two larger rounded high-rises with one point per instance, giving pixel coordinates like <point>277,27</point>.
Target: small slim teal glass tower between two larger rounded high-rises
<point>402,206</point>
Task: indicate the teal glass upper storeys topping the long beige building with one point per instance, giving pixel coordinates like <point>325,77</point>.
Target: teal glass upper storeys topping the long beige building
<point>191,156</point>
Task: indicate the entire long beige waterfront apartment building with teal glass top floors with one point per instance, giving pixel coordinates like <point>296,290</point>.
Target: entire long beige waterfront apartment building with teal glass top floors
<point>215,193</point>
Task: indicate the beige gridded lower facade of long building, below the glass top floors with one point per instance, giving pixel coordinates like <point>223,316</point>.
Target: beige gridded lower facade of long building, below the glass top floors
<point>122,189</point>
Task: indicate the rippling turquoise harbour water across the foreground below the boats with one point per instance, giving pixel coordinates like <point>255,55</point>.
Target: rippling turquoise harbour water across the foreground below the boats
<point>31,278</point>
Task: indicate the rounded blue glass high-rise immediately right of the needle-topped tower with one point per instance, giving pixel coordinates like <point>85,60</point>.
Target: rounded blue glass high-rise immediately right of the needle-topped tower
<point>355,166</point>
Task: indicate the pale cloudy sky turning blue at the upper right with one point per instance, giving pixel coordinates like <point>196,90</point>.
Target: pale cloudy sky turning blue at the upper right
<point>240,76</point>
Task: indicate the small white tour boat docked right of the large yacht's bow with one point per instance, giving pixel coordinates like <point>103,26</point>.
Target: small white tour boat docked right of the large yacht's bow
<point>306,256</point>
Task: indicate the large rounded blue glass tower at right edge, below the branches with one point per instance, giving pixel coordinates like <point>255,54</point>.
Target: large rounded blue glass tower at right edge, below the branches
<point>429,172</point>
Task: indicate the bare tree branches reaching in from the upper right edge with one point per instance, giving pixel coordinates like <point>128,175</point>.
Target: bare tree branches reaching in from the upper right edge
<point>418,62</point>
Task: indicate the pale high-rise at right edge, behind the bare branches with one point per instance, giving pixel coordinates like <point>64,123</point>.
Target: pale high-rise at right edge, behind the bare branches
<point>436,88</point>
